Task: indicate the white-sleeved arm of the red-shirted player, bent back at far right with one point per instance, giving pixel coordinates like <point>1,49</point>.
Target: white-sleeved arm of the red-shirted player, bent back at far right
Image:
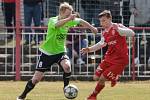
<point>124,31</point>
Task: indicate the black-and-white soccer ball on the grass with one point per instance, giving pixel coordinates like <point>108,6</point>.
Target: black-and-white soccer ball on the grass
<point>71,91</point>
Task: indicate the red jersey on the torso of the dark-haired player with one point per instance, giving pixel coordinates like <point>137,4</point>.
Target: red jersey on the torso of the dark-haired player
<point>117,52</point>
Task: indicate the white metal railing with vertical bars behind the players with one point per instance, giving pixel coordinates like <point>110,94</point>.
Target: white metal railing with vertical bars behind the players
<point>85,68</point>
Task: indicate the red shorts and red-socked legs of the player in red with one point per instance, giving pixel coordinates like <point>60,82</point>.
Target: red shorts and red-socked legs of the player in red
<point>110,72</point>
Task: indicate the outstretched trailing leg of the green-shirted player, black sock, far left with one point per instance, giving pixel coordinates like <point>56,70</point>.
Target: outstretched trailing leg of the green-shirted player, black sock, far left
<point>31,84</point>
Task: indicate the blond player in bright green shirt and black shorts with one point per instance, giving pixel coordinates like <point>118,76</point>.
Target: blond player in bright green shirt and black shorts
<point>53,49</point>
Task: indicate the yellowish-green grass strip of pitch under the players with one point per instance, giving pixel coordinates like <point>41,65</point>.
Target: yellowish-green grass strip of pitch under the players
<point>9,90</point>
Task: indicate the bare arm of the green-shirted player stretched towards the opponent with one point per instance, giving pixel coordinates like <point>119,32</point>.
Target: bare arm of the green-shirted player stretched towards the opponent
<point>87,25</point>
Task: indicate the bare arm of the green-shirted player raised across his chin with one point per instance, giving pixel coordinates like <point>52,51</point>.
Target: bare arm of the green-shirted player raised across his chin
<point>61,22</point>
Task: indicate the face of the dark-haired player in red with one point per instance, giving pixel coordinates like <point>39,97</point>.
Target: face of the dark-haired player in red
<point>105,22</point>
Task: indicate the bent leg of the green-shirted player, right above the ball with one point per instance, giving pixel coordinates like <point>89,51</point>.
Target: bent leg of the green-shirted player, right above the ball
<point>66,65</point>
